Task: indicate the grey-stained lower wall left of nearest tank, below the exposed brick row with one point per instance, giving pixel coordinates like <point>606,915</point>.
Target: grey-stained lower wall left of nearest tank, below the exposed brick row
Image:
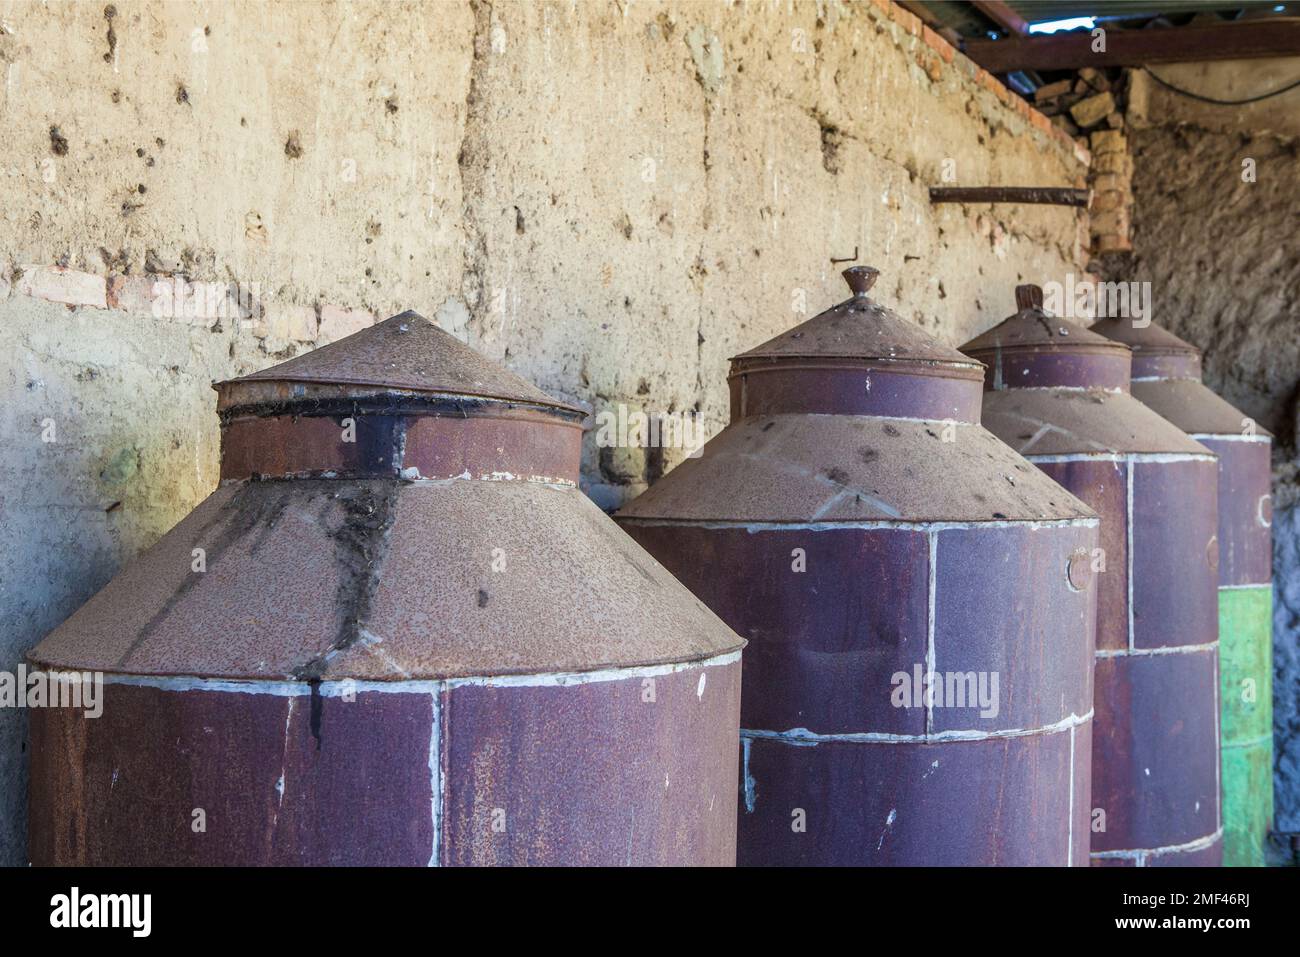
<point>103,454</point>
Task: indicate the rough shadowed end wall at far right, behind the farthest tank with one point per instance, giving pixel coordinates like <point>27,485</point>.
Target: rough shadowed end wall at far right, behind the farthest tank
<point>1225,266</point>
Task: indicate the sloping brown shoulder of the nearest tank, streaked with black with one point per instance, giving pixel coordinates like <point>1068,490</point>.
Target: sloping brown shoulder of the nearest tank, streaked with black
<point>306,557</point>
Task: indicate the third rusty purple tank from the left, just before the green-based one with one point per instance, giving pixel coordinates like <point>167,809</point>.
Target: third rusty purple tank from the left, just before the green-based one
<point>1059,395</point>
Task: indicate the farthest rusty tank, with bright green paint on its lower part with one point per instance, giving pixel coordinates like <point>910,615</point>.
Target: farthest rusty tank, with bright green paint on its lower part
<point>1167,378</point>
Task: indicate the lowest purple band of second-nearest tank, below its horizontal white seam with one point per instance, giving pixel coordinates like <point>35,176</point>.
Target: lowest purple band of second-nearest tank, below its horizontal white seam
<point>933,804</point>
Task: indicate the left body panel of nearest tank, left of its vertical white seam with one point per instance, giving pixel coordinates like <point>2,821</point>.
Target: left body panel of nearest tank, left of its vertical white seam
<point>280,781</point>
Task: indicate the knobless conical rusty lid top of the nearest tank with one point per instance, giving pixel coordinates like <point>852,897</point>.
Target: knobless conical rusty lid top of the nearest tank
<point>406,353</point>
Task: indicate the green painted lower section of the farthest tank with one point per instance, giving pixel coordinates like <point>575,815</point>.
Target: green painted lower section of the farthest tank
<point>1246,705</point>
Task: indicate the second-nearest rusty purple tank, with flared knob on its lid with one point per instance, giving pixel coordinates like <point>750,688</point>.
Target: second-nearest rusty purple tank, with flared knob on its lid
<point>917,601</point>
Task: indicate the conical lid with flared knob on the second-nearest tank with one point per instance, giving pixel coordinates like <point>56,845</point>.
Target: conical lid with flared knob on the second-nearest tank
<point>860,328</point>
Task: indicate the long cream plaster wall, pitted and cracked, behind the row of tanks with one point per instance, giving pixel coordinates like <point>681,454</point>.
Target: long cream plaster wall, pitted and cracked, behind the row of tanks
<point>612,198</point>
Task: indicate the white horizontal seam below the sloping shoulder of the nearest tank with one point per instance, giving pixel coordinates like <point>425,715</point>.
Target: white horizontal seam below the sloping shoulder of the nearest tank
<point>335,688</point>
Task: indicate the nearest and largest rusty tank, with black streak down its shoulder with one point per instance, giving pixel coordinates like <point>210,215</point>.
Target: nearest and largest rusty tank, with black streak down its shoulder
<point>419,647</point>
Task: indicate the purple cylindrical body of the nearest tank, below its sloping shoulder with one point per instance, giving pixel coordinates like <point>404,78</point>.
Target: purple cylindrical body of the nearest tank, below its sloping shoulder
<point>526,776</point>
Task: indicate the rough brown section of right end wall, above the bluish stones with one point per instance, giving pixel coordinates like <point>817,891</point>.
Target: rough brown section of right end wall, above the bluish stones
<point>1223,259</point>
